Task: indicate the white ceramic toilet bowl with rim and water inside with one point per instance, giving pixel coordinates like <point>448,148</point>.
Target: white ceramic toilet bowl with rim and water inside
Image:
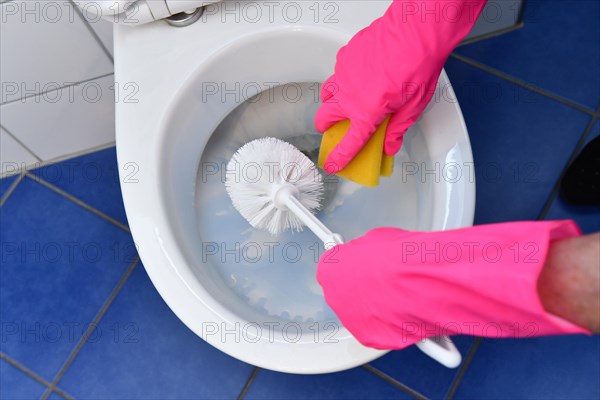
<point>203,91</point>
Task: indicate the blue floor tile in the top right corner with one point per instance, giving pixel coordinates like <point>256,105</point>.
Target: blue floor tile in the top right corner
<point>557,49</point>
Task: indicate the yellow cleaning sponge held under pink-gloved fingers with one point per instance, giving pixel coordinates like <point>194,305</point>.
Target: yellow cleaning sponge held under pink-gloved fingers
<point>369,164</point>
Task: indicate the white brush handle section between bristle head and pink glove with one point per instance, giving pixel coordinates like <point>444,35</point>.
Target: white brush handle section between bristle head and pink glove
<point>286,196</point>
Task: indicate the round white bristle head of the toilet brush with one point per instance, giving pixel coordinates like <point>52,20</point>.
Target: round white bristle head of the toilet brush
<point>258,169</point>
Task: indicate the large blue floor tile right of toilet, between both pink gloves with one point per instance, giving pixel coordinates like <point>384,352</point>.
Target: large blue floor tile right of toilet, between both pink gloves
<point>521,142</point>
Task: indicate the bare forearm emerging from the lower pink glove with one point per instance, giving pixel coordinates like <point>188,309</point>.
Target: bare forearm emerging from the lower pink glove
<point>569,285</point>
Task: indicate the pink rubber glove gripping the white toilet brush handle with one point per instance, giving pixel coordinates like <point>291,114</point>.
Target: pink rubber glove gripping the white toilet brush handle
<point>391,288</point>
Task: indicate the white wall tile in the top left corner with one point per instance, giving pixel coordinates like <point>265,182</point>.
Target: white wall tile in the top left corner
<point>45,44</point>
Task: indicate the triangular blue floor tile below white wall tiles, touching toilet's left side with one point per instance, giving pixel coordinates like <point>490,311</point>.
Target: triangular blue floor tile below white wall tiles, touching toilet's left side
<point>93,179</point>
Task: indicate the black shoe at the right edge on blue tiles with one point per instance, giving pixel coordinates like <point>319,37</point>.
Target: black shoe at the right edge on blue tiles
<point>581,183</point>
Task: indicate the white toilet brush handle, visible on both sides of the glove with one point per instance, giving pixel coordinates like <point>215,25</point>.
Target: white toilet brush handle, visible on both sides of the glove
<point>440,348</point>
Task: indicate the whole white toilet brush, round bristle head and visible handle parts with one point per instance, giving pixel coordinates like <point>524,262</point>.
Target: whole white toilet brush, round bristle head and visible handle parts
<point>276,187</point>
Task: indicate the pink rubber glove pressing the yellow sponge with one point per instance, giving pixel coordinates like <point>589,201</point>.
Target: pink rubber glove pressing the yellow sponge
<point>391,67</point>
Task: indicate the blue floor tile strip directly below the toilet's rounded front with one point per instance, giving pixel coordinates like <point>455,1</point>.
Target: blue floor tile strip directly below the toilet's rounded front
<point>354,384</point>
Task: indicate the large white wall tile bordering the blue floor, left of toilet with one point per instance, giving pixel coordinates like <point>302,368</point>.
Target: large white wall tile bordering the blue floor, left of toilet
<point>65,121</point>
